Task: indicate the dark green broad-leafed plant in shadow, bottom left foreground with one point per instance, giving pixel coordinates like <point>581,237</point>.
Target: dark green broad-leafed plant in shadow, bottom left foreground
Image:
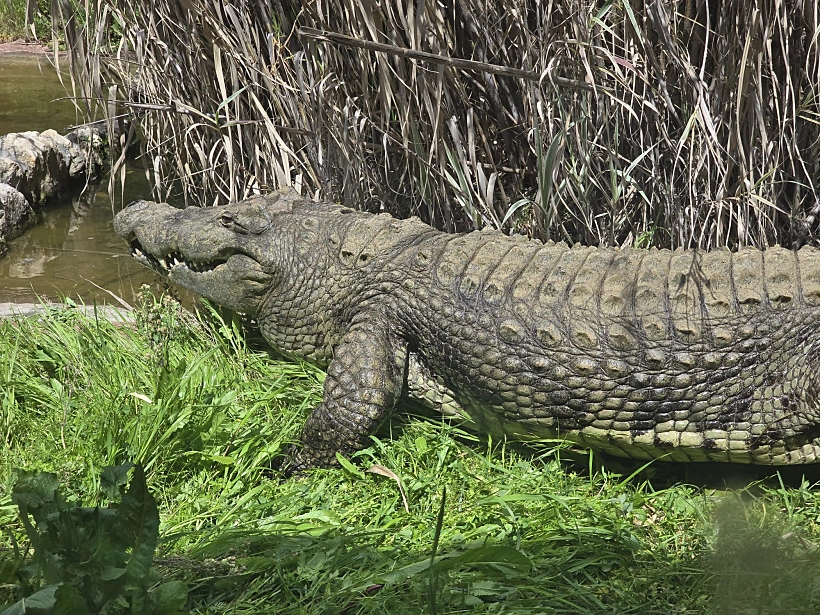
<point>90,560</point>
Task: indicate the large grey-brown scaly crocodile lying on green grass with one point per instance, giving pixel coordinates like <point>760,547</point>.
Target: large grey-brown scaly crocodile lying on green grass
<point>681,355</point>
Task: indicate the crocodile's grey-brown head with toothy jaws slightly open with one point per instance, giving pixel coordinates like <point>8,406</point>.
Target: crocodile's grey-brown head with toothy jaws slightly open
<point>221,253</point>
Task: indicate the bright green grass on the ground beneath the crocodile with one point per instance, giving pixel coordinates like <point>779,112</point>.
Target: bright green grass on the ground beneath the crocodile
<point>518,531</point>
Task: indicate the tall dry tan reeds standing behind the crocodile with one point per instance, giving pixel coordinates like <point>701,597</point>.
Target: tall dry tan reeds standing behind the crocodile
<point>650,122</point>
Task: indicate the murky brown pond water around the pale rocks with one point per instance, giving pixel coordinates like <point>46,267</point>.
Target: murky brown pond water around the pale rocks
<point>73,250</point>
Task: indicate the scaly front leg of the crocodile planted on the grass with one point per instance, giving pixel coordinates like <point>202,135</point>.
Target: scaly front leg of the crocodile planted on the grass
<point>363,384</point>
